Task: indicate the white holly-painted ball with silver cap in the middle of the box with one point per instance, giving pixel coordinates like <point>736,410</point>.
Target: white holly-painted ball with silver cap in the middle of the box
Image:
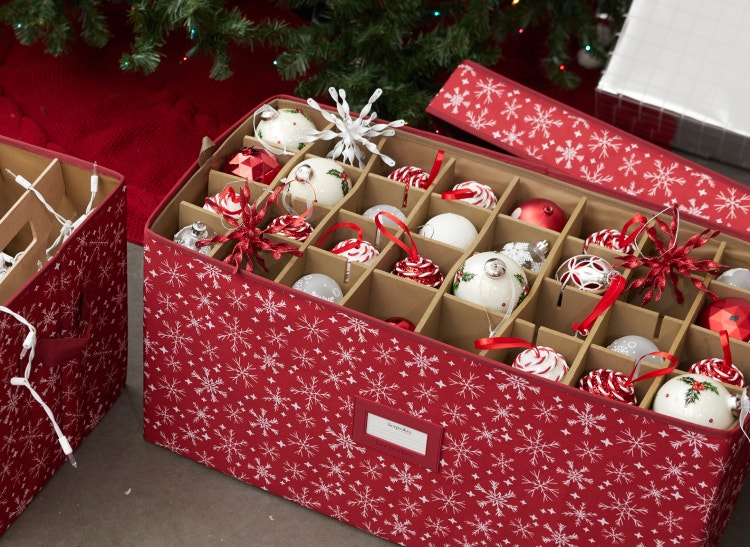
<point>492,280</point>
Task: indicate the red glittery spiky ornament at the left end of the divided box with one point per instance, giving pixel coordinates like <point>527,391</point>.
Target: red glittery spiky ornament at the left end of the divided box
<point>250,238</point>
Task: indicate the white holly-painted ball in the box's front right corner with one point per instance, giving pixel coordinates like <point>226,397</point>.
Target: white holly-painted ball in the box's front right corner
<point>697,399</point>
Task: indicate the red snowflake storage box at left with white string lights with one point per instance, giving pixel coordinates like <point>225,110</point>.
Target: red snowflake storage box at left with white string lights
<point>73,295</point>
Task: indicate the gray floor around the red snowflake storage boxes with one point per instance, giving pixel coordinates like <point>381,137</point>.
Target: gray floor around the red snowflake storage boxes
<point>129,492</point>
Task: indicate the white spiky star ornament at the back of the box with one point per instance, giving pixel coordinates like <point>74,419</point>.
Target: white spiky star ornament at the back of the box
<point>354,133</point>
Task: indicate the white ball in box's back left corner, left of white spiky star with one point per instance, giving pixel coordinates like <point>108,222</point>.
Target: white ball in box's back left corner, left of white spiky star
<point>282,132</point>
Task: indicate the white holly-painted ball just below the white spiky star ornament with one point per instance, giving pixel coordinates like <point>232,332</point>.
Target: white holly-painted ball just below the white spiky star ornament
<point>318,180</point>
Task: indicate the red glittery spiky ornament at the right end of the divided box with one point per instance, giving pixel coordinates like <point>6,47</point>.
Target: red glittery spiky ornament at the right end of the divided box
<point>669,260</point>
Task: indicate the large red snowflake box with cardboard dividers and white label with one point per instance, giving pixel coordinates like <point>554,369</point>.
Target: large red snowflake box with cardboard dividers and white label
<point>418,437</point>
